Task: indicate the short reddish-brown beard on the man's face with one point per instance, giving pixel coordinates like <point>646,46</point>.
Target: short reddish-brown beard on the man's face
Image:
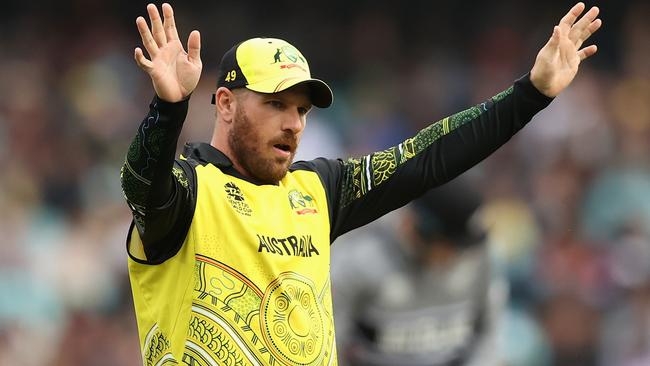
<point>247,150</point>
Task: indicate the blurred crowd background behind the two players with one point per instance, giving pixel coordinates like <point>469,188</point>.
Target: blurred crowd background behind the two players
<point>567,200</point>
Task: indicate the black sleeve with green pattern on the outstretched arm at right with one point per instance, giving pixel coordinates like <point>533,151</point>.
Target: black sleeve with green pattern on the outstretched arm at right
<point>361,190</point>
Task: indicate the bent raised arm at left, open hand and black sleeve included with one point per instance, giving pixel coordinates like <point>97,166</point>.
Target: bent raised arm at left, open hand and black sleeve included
<point>157,190</point>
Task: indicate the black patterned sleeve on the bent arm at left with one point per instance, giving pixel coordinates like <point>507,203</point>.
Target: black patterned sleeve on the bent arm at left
<point>158,189</point>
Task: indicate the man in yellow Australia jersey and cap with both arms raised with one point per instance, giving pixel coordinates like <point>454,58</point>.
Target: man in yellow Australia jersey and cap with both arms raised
<point>229,247</point>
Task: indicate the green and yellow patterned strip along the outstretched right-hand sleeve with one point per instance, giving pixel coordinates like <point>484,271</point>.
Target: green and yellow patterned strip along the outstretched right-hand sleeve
<point>361,175</point>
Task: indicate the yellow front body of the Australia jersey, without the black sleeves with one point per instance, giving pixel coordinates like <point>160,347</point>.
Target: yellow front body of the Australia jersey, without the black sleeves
<point>250,285</point>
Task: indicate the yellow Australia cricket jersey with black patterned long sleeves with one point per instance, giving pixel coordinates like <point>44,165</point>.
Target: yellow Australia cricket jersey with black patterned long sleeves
<point>228,272</point>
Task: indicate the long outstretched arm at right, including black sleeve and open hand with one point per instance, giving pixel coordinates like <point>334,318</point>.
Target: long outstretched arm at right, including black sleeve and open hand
<point>361,190</point>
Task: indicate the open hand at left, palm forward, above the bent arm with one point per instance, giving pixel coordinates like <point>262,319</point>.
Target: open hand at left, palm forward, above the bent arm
<point>174,72</point>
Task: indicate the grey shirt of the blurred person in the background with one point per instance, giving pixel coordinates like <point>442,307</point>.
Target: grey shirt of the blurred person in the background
<point>392,310</point>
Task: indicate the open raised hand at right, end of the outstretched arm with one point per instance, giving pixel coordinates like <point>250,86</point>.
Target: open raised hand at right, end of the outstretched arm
<point>557,62</point>
